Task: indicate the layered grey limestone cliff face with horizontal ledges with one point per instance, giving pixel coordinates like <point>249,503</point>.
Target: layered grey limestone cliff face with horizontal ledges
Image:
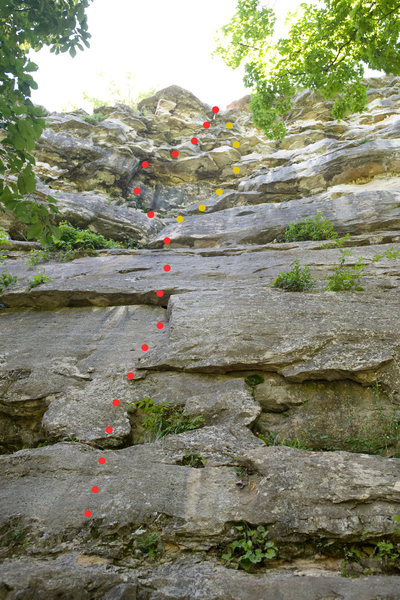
<point>289,400</point>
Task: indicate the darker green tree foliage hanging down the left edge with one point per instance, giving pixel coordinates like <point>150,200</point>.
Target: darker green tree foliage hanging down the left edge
<point>25,25</point>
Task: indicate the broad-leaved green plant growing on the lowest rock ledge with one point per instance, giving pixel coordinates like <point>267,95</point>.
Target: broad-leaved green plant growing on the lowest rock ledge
<point>250,548</point>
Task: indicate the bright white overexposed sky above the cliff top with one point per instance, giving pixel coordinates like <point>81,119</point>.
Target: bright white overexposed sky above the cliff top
<point>159,42</point>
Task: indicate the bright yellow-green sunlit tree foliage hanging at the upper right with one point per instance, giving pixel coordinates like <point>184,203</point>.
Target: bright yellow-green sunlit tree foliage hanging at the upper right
<point>327,48</point>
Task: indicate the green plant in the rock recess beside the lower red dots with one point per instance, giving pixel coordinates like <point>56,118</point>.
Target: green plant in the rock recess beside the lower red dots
<point>164,419</point>
